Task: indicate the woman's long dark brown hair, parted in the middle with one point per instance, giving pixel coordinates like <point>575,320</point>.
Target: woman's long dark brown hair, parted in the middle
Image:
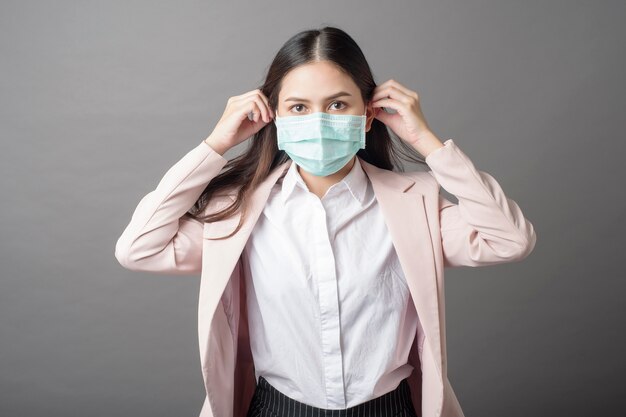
<point>246,171</point>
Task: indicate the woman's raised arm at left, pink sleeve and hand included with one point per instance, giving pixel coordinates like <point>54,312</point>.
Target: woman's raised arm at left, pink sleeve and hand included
<point>161,237</point>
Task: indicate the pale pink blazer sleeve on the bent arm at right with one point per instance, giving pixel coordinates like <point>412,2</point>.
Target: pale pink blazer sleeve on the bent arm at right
<point>485,227</point>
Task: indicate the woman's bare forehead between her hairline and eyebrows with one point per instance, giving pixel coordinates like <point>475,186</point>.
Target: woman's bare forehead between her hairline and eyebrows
<point>316,80</point>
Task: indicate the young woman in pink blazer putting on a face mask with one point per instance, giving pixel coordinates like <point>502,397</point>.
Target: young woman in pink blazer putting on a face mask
<point>322,289</point>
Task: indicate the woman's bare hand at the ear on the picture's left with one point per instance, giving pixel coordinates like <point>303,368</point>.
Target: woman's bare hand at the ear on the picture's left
<point>234,126</point>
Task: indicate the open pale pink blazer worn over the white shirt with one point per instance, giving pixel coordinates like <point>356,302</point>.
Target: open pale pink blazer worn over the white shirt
<point>428,232</point>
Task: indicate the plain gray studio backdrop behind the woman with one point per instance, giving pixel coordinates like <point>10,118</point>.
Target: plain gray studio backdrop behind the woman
<point>99,99</point>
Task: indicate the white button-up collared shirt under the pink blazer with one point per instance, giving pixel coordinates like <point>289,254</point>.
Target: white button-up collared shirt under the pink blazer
<point>330,314</point>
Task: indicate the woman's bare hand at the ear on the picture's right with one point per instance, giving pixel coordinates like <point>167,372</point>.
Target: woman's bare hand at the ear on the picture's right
<point>408,123</point>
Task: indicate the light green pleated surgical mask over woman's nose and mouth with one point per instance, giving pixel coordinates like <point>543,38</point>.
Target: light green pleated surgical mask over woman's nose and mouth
<point>321,143</point>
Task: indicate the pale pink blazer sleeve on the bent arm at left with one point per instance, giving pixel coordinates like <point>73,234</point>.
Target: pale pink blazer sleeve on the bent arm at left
<point>161,237</point>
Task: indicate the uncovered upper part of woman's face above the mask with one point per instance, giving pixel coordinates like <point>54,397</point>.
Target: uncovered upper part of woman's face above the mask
<point>320,87</point>
